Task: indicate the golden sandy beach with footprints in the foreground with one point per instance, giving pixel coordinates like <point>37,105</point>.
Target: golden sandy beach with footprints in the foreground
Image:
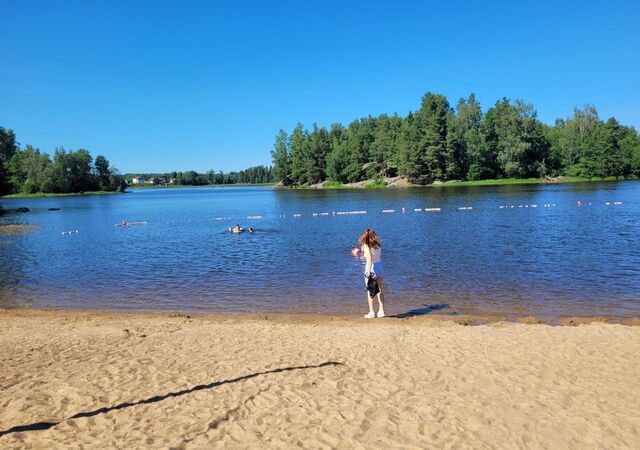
<point>142,380</point>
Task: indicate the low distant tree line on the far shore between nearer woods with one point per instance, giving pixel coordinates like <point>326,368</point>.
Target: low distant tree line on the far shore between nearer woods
<point>252,175</point>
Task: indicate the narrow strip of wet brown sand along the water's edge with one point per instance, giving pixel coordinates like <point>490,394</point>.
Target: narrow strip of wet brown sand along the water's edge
<point>319,318</point>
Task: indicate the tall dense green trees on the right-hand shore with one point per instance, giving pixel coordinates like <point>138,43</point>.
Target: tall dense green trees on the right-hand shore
<point>440,143</point>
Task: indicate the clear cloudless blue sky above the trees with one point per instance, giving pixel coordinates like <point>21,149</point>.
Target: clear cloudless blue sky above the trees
<point>159,86</point>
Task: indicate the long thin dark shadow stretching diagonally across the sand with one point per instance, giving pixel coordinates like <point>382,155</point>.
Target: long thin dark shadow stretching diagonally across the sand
<point>158,398</point>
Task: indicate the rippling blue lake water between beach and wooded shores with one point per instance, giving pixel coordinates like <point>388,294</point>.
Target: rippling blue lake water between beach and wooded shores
<point>547,261</point>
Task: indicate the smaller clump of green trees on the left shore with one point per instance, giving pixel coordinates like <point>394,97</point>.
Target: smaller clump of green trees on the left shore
<point>27,170</point>
